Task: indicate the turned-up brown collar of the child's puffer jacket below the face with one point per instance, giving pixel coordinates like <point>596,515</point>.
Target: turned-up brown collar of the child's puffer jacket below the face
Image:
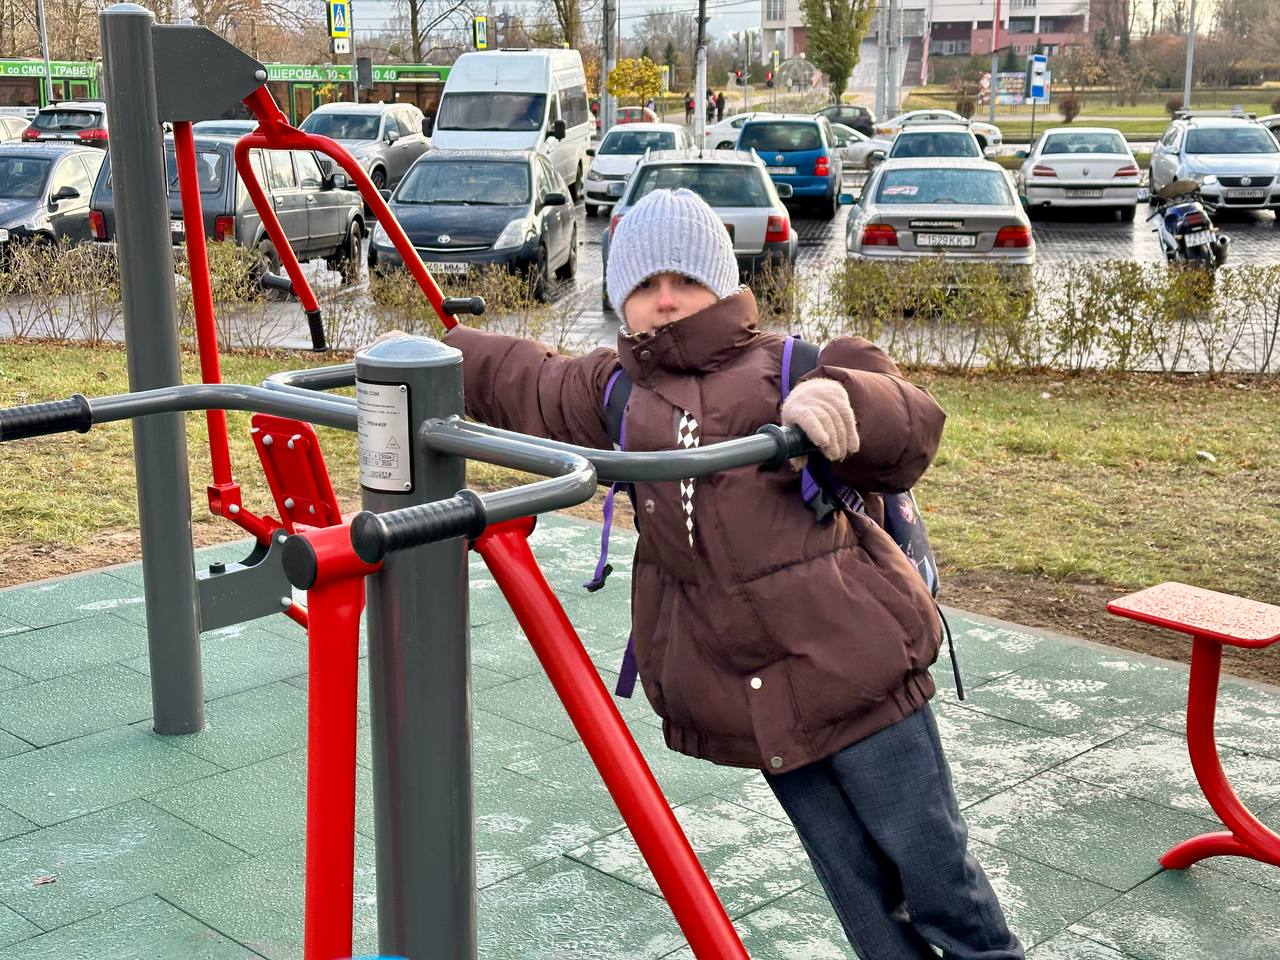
<point>703,342</point>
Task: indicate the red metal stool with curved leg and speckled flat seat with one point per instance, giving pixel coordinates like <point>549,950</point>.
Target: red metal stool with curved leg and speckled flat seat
<point>1213,620</point>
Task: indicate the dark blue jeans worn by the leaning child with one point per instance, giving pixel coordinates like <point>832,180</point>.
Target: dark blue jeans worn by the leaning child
<point>881,825</point>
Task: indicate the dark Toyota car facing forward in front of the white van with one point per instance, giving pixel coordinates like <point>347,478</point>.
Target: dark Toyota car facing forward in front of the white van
<point>470,208</point>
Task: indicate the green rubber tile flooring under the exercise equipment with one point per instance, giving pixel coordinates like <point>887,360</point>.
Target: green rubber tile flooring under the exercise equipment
<point>1069,761</point>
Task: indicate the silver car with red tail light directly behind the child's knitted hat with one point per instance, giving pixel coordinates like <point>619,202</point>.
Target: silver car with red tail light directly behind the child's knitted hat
<point>735,186</point>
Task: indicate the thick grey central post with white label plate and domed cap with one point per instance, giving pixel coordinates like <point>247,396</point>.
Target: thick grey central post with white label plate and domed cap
<point>419,669</point>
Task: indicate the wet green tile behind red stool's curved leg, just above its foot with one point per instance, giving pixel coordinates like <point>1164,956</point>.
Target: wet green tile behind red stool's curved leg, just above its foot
<point>1154,765</point>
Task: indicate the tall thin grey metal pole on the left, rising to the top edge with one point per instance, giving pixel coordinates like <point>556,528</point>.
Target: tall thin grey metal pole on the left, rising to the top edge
<point>152,344</point>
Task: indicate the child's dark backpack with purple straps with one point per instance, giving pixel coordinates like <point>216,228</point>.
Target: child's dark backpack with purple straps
<point>822,493</point>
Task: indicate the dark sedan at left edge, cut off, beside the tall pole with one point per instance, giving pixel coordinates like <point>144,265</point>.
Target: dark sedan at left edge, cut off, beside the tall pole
<point>45,193</point>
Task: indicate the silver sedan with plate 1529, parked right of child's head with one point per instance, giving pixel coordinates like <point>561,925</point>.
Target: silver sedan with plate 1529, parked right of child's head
<point>963,211</point>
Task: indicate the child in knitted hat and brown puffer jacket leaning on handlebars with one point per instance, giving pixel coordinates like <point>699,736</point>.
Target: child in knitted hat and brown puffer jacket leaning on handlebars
<point>764,638</point>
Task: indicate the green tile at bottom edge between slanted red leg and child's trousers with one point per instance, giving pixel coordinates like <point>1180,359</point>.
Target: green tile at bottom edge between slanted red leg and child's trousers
<point>798,927</point>
